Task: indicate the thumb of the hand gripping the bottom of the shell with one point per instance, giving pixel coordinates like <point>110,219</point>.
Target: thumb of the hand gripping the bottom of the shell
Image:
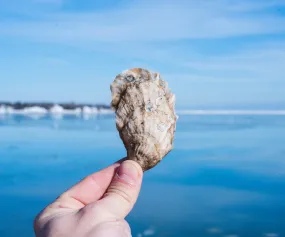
<point>123,191</point>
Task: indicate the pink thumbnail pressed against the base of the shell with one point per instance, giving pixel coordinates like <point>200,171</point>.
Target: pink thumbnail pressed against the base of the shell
<point>128,172</point>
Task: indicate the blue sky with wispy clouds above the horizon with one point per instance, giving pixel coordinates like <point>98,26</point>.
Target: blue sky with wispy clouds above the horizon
<point>212,52</point>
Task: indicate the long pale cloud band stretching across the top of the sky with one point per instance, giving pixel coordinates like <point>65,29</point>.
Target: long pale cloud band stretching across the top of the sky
<point>149,21</point>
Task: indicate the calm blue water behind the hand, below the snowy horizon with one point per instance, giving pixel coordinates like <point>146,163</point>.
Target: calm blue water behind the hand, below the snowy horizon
<point>225,177</point>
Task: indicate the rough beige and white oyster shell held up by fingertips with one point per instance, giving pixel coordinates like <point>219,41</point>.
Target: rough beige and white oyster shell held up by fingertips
<point>145,115</point>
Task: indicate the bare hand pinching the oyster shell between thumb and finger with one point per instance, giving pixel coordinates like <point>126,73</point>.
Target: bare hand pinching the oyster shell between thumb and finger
<point>96,206</point>
